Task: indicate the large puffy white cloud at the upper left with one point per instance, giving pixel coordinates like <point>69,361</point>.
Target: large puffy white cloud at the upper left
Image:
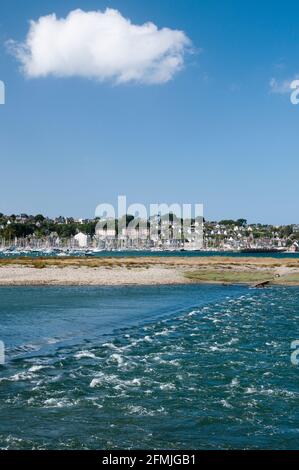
<point>103,46</point>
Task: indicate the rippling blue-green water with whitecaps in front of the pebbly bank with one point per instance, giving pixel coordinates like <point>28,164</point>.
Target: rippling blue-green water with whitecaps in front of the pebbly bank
<point>202,367</point>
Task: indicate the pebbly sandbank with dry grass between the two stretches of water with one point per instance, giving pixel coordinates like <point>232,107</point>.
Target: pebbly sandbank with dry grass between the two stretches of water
<point>148,271</point>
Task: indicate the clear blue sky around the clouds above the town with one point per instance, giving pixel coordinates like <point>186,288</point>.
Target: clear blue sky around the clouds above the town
<point>214,134</point>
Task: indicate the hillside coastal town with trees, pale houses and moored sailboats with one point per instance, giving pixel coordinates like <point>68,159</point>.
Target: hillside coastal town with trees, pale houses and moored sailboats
<point>21,233</point>
